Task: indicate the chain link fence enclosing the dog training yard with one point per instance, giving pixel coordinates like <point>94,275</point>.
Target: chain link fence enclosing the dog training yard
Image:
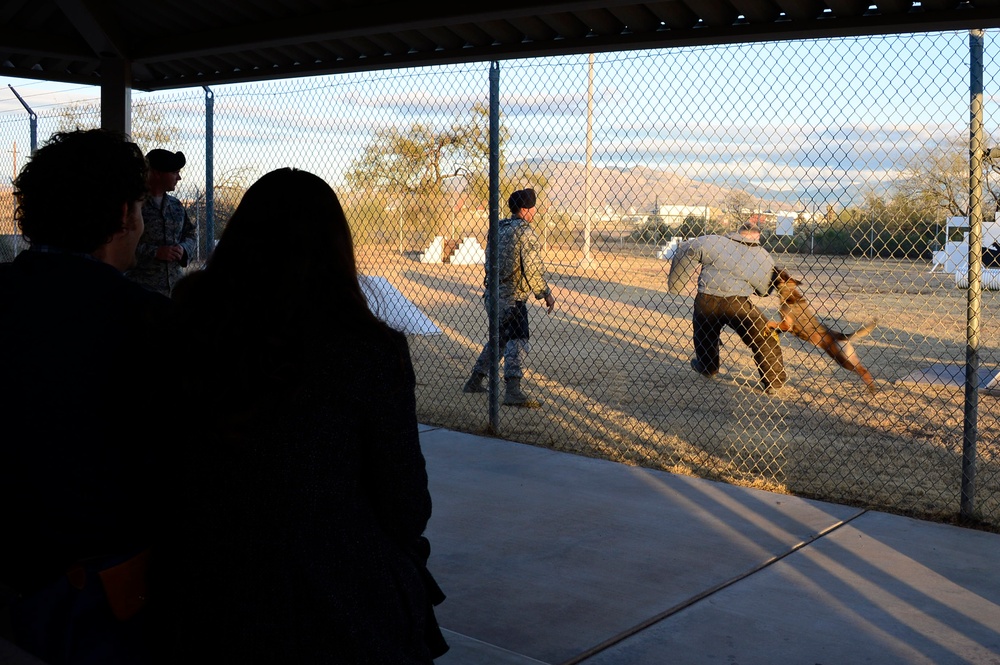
<point>852,155</point>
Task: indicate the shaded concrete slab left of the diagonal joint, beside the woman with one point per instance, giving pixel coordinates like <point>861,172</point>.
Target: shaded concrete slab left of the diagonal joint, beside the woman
<point>549,555</point>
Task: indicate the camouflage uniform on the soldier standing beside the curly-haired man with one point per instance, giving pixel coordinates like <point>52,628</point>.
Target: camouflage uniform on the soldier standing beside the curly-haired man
<point>166,224</point>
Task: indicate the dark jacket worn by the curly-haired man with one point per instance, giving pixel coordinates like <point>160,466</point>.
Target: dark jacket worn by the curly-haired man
<point>75,457</point>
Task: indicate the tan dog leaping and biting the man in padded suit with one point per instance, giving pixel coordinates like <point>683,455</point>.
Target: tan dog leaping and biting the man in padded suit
<point>799,318</point>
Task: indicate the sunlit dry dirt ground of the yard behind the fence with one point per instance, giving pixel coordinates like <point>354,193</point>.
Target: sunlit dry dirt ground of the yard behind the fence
<point>610,365</point>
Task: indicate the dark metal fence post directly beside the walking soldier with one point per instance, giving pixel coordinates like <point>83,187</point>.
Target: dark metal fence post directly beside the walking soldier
<point>492,256</point>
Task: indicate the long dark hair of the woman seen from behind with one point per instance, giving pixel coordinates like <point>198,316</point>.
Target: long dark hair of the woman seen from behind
<point>273,307</point>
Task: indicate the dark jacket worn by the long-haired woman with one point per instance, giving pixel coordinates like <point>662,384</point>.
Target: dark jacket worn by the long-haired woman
<point>299,520</point>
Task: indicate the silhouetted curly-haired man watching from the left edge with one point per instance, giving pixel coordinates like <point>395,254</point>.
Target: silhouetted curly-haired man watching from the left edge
<point>75,453</point>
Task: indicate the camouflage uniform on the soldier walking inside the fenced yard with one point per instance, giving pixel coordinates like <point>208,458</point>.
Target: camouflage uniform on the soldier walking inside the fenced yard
<point>522,273</point>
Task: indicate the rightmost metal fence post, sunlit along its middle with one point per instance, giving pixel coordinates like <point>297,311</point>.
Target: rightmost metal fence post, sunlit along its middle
<point>970,428</point>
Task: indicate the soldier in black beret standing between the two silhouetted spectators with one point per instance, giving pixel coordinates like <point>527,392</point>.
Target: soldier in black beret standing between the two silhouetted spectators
<point>170,240</point>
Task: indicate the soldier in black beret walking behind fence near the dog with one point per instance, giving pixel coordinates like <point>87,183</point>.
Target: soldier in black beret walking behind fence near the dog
<point>522,274</point>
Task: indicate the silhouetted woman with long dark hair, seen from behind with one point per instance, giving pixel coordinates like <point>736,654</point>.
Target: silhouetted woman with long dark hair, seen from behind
<point>301,498</point>
